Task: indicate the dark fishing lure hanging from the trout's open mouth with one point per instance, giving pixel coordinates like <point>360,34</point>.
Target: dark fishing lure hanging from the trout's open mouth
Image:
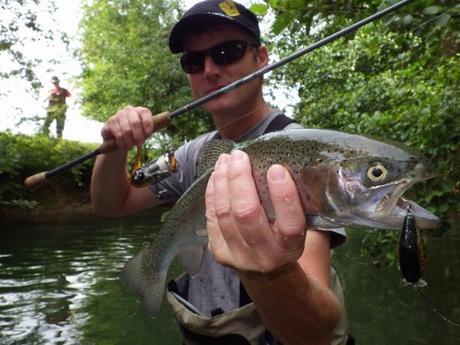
<point>411,250</point>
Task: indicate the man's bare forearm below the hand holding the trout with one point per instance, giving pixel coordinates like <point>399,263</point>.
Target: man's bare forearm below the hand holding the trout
<point>295,300</point>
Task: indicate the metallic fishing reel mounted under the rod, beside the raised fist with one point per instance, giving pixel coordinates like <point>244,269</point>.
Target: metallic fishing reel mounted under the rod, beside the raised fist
<point>153,171</point>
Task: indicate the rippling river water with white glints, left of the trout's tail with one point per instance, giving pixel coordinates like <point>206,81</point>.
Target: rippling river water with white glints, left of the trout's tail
<point>59,285</point>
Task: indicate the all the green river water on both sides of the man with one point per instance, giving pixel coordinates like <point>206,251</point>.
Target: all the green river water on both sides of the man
<point>59,285</point>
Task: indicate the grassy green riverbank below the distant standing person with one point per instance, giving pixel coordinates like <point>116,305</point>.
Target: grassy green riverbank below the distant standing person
<point>22,156</point>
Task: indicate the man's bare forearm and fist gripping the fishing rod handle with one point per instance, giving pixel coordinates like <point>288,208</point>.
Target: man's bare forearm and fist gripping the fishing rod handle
<point>111,193</point>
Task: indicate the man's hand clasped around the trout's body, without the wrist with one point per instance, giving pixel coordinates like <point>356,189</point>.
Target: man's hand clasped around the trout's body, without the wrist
<point>240,234</point>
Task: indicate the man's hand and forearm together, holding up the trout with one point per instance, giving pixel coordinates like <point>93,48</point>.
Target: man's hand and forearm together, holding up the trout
<point>285,272</point>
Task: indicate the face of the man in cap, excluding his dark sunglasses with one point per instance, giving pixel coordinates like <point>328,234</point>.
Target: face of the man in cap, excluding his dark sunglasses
<point>214,77</point>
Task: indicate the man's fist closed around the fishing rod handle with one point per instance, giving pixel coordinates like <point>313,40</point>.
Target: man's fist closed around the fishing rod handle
<point>129,126</point>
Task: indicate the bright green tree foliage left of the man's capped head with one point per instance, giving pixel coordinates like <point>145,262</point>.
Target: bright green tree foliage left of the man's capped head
<point>127,62</point>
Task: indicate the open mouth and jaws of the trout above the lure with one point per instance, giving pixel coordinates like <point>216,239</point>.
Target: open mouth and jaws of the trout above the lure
<point>393,208</point>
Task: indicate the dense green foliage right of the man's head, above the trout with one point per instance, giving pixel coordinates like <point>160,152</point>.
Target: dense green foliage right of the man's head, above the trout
<point>397,78</point>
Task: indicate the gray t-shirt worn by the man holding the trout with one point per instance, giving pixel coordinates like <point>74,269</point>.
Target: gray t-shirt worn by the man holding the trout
<point>215,286</point>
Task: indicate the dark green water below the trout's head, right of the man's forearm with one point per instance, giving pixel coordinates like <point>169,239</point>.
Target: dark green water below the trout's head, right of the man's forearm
<point>383,311</point>
